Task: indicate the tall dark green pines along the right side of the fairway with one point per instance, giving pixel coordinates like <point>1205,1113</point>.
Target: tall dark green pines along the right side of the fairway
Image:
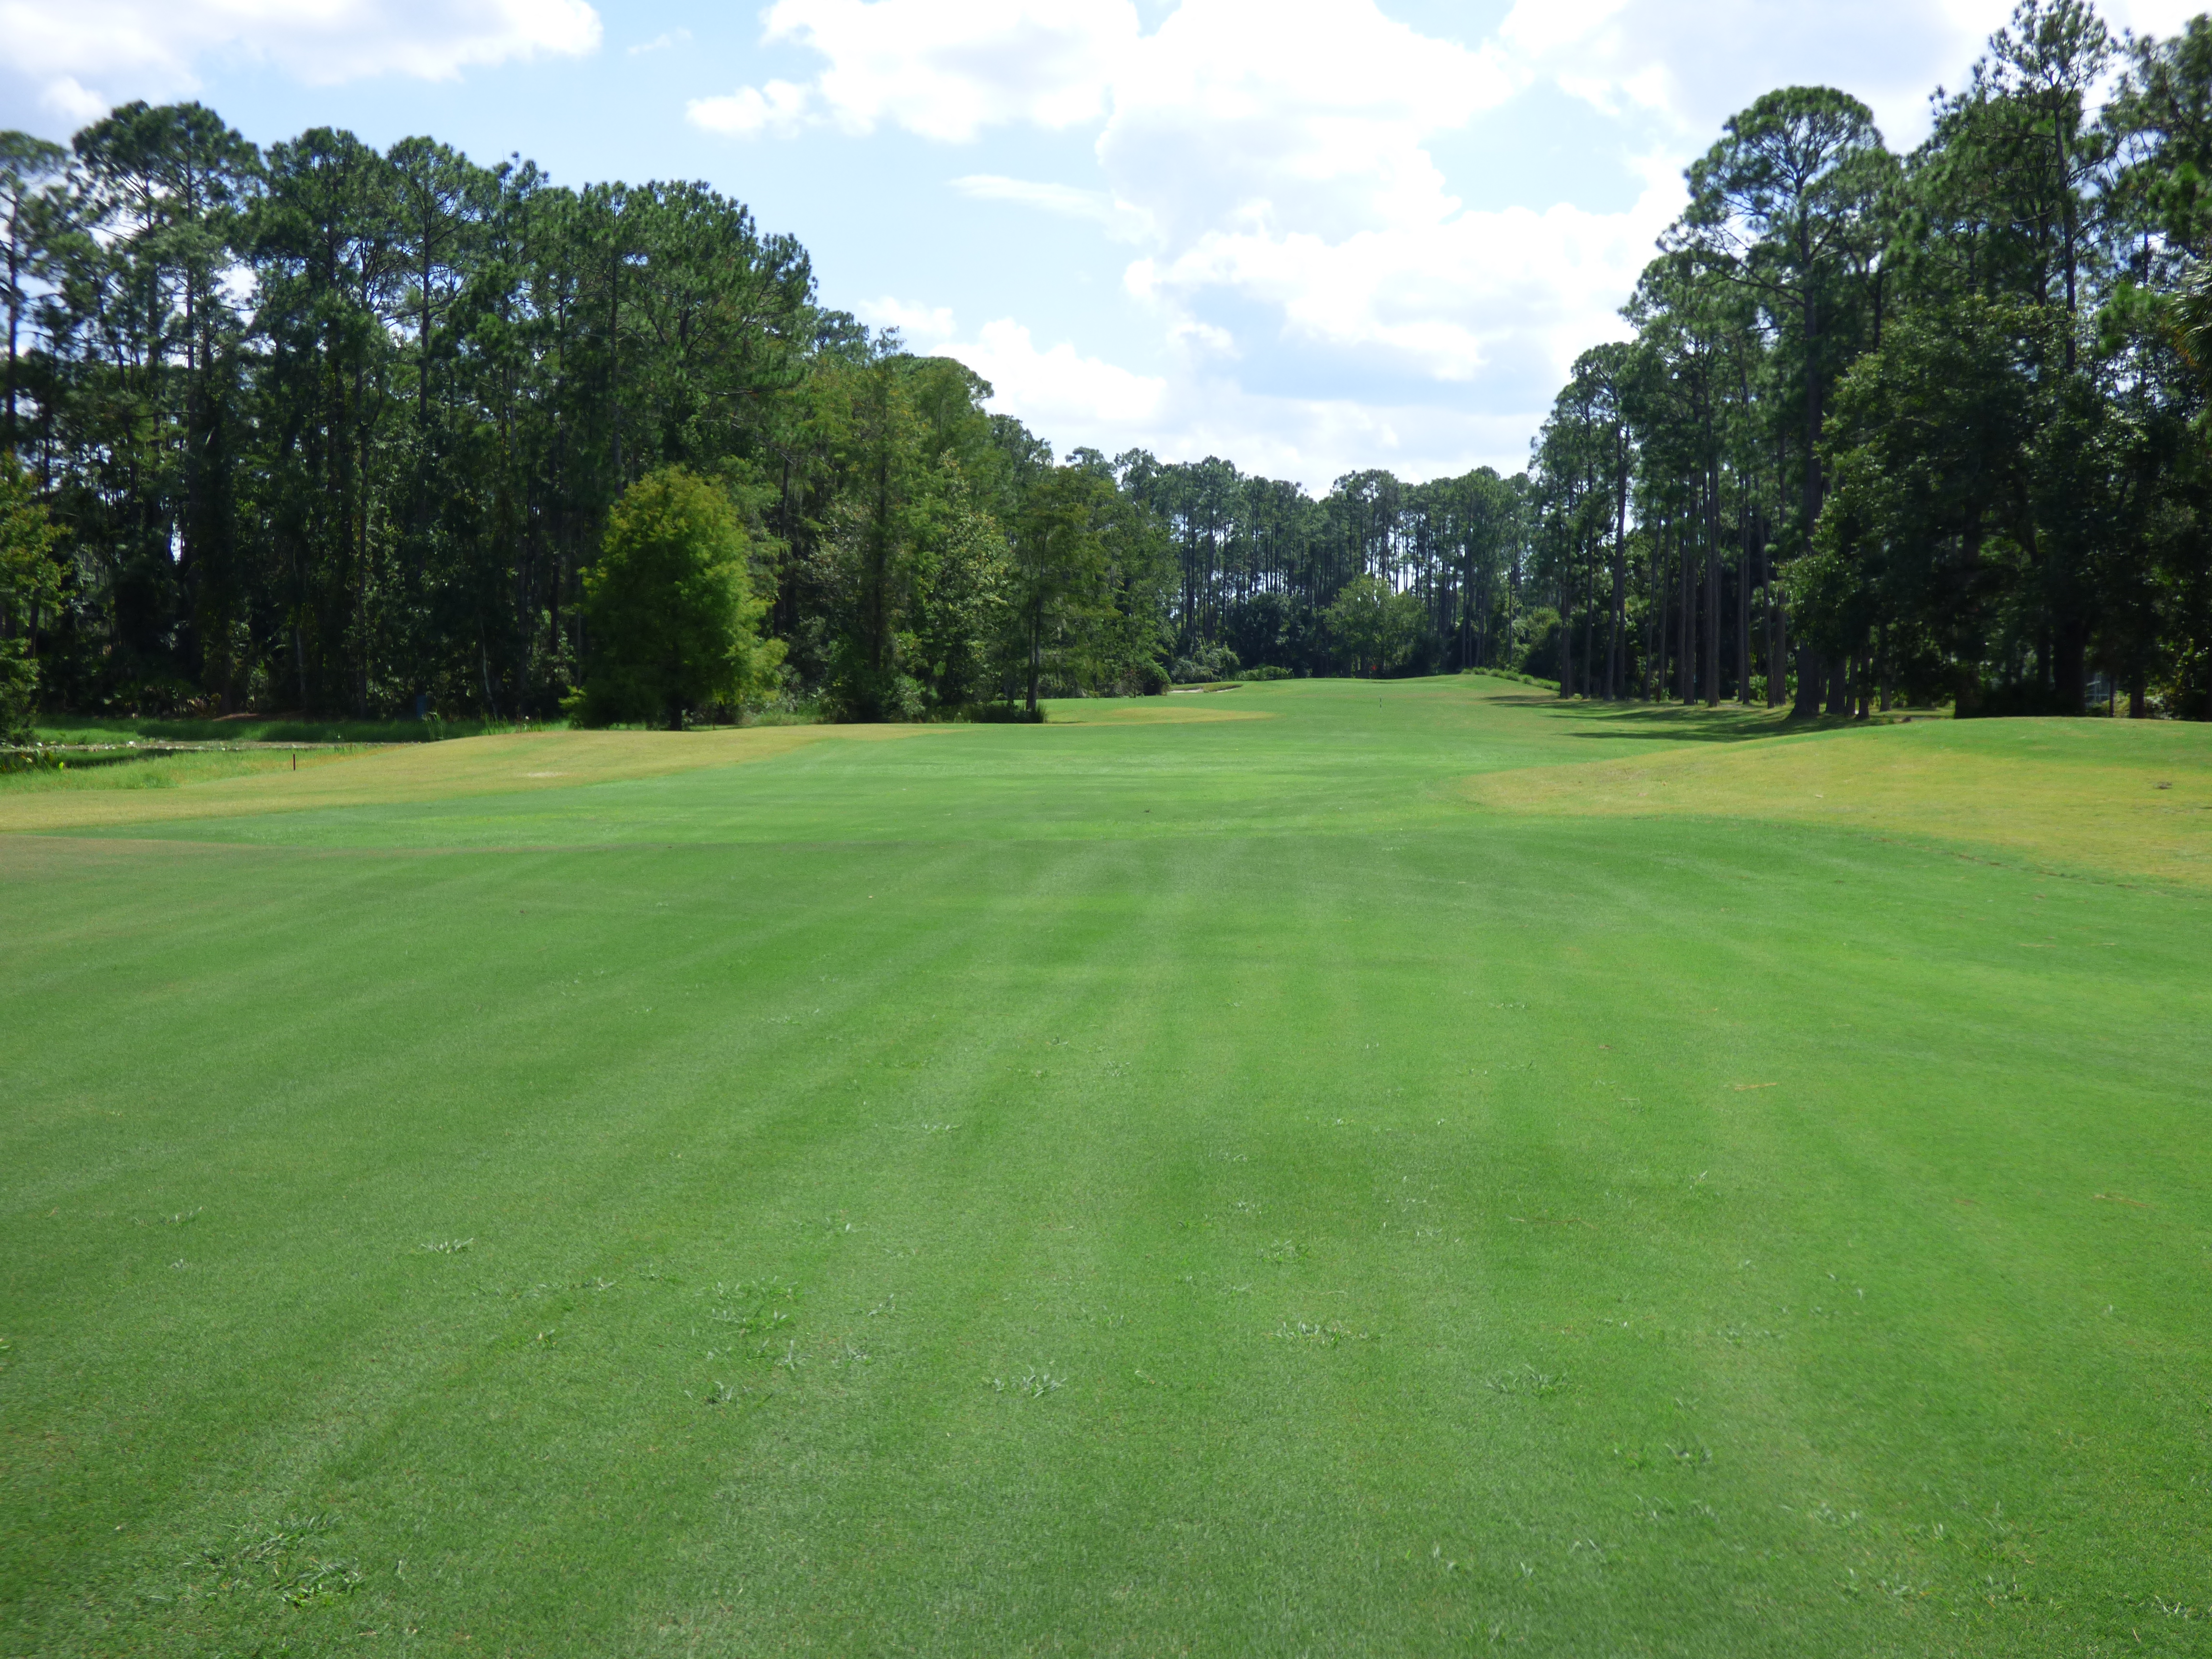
<point>1912,428</point>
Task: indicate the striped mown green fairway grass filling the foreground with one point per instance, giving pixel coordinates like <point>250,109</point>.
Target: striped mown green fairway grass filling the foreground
<point>1204,1185</point>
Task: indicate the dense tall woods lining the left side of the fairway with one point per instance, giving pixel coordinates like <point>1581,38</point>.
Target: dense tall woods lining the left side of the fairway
<point>342,430</point>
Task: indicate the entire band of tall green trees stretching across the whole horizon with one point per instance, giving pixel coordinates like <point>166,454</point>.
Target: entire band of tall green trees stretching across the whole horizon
<point>342,430</point>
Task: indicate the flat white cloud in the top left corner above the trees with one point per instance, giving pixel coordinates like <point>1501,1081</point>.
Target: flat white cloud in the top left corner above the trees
<point>83,56</point>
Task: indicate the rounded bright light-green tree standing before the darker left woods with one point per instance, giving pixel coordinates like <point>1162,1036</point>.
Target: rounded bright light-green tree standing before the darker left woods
<point>669,609</point>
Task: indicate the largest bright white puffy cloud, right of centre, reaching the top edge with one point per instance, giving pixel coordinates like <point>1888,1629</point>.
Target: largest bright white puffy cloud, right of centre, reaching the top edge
<point>1291,171</point>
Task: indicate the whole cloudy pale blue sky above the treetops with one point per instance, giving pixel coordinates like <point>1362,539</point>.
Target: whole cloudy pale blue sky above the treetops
<point>1306,236</point>
